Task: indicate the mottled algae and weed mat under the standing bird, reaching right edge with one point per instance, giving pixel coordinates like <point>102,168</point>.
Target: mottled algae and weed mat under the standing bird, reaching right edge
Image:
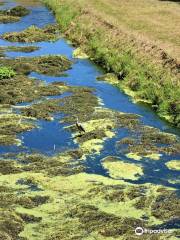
<point>100,124</point>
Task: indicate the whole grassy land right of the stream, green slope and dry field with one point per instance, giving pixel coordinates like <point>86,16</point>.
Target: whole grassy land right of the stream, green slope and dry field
<point>136,40</point>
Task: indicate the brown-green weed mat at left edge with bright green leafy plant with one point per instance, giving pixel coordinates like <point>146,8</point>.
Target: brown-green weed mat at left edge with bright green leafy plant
<point>14,82</point>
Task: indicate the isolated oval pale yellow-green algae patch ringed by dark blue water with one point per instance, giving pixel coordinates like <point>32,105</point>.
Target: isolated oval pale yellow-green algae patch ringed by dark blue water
<point>118,169</point>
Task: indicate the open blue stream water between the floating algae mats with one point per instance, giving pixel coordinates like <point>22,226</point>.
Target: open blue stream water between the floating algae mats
<point>83,73</point>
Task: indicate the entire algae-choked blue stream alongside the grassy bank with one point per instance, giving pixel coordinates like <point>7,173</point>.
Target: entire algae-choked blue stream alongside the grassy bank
<point>78,159</point>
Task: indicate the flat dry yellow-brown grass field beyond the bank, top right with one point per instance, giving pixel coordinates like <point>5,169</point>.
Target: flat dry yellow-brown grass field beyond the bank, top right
<point>153,21</point>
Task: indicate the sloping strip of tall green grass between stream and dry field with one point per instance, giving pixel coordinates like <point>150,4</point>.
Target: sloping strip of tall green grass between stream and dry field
<point>150,76</point>
